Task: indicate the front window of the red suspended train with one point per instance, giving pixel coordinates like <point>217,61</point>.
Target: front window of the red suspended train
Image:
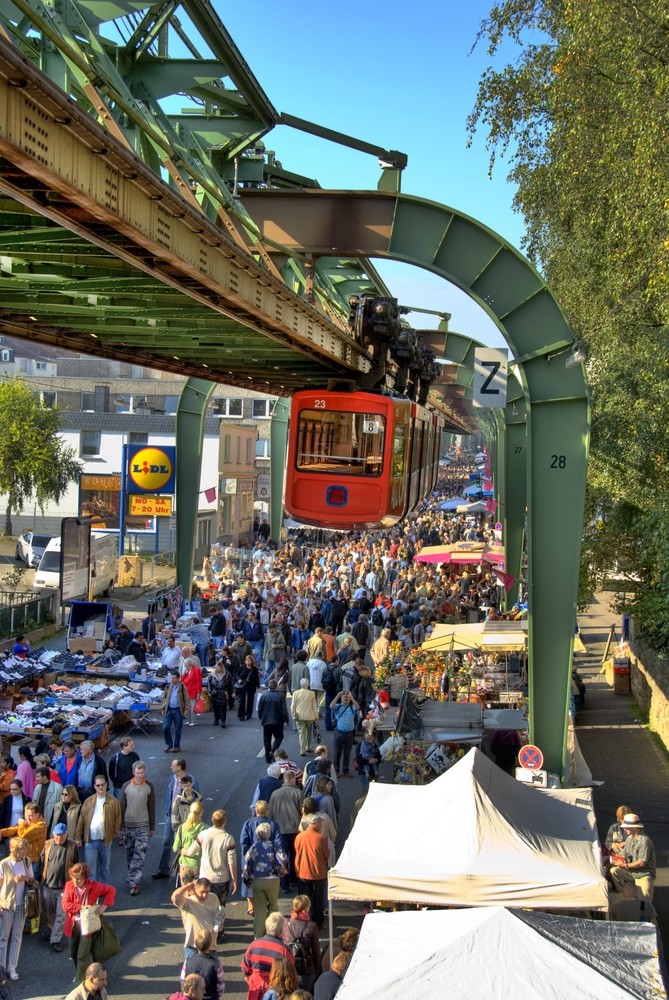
<point>348,444</point>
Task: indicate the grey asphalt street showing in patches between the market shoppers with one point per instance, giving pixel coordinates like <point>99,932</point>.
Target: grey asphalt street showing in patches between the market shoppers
<point>228,764</point>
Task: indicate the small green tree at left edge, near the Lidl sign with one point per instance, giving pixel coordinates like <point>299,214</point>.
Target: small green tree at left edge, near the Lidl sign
<point>34,462</point>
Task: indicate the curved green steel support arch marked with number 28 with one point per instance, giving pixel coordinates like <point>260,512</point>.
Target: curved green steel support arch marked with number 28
<point>515,296</point>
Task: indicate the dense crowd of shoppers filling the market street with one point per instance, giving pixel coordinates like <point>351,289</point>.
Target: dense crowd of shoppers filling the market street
<point>305,627</point>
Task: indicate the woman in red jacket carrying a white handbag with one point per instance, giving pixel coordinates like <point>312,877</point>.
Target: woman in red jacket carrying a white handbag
<point>84,900</point>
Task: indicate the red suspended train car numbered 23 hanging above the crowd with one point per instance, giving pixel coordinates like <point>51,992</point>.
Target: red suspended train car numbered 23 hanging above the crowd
<point>359,460</point>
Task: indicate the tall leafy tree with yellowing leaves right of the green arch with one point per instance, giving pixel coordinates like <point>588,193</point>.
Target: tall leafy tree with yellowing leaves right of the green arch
<point>583,113</point>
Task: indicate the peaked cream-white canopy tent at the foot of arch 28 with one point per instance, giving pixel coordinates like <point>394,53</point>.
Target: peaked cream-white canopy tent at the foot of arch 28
<point>473,837</point>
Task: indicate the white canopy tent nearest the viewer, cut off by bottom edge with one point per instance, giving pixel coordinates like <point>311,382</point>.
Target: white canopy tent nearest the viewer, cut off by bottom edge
<point>493,954</point>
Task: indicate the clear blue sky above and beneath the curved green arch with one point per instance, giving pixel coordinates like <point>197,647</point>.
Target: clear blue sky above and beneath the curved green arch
<point>400,75</point>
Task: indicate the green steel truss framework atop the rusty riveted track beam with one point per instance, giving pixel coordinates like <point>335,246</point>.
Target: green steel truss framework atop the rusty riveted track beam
<point>114,59</point>
